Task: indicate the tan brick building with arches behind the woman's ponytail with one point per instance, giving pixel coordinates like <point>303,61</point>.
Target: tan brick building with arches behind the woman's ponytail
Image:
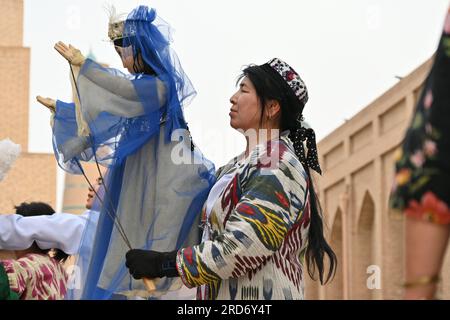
<point>358,170</point>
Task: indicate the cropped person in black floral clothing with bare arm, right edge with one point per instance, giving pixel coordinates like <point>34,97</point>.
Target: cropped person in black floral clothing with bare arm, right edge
<point>422,190</point>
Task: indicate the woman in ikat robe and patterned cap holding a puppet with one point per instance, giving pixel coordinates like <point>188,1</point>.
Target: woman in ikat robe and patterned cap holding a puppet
<point>262,218</point>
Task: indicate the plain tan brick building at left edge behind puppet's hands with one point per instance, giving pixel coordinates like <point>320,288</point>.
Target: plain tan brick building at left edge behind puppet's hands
<point>33,176</point>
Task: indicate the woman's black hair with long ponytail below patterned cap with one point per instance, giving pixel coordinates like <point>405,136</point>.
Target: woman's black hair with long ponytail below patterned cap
<point>270,86</point>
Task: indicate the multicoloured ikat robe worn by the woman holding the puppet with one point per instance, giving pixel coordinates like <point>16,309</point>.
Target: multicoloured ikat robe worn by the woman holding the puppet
<point>258,230</point>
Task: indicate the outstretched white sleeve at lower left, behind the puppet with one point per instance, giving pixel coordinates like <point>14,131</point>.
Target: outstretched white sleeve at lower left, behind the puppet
<point>60,230</point>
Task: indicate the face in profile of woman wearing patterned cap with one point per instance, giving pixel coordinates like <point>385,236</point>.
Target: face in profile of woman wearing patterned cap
<point>245,111</point>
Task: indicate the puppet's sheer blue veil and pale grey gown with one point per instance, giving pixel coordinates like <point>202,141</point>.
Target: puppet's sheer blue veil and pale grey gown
<point>137,129</point>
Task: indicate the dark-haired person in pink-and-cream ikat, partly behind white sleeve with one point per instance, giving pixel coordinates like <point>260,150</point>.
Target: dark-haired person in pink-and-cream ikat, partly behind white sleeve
<point>37,274</point>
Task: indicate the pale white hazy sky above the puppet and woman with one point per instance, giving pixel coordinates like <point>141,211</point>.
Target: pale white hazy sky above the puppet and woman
<point>348,52</point>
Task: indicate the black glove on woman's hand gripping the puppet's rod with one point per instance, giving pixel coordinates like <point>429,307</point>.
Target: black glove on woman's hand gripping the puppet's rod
<point>151,264</point>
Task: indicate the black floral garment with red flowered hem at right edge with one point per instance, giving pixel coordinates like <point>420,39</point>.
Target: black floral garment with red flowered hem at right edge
<point>422,182</point>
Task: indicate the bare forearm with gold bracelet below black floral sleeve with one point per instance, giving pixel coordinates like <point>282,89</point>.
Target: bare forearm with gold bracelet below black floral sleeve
<point>426,244</point>
